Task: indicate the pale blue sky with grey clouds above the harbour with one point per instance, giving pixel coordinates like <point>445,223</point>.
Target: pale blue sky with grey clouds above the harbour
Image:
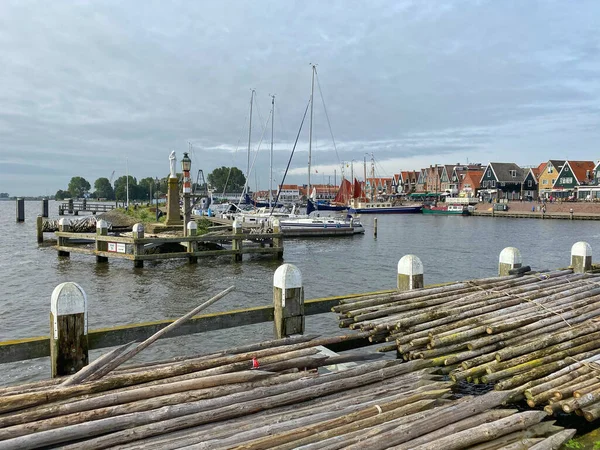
<point>88,88</point>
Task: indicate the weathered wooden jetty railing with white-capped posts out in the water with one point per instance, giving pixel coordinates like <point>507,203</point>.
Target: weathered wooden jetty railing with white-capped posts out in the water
<point>139,248</point>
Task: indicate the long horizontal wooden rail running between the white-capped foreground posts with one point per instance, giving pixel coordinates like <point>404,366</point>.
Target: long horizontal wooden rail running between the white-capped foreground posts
<point>39,347</point>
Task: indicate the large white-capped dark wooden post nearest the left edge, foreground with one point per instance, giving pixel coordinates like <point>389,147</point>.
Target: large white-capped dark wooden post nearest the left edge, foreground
<point>68,329</point>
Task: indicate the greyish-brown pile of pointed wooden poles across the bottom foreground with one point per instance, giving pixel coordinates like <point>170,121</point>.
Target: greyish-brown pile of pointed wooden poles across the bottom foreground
<point>290,401</point>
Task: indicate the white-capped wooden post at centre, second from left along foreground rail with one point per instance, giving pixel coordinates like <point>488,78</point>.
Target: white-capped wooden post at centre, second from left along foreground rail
<point>288,301</point>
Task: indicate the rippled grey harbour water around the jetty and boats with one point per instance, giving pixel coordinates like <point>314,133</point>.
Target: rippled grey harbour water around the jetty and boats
<point>451,248</point>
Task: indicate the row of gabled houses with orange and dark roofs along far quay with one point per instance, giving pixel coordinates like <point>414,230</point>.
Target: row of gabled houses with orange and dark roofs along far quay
<point>558,179</point>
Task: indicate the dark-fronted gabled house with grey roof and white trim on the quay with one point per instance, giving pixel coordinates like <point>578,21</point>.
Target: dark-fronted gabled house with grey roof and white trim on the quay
<point>502,181</point>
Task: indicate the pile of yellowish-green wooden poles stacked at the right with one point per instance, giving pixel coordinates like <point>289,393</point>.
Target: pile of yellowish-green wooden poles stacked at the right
<point>537,335</point>
